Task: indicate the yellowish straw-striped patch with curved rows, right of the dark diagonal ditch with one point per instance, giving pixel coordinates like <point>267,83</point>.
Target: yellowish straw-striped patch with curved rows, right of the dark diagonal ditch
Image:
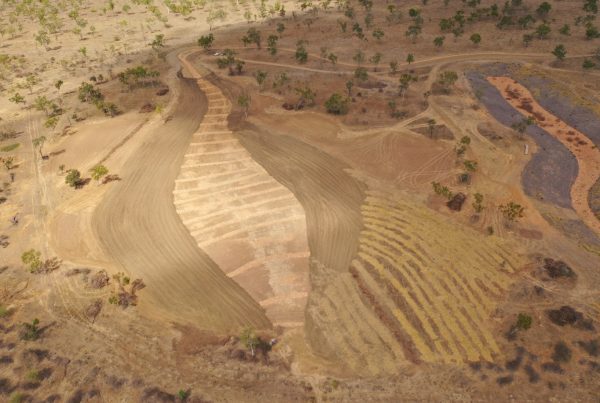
<point>439,286</point>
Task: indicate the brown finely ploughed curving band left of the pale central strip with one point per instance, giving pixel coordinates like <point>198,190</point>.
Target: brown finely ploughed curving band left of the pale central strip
<point>140,230</point>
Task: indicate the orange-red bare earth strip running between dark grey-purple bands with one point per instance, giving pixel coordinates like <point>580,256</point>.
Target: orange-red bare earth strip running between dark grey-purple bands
<point>588,156</point>
